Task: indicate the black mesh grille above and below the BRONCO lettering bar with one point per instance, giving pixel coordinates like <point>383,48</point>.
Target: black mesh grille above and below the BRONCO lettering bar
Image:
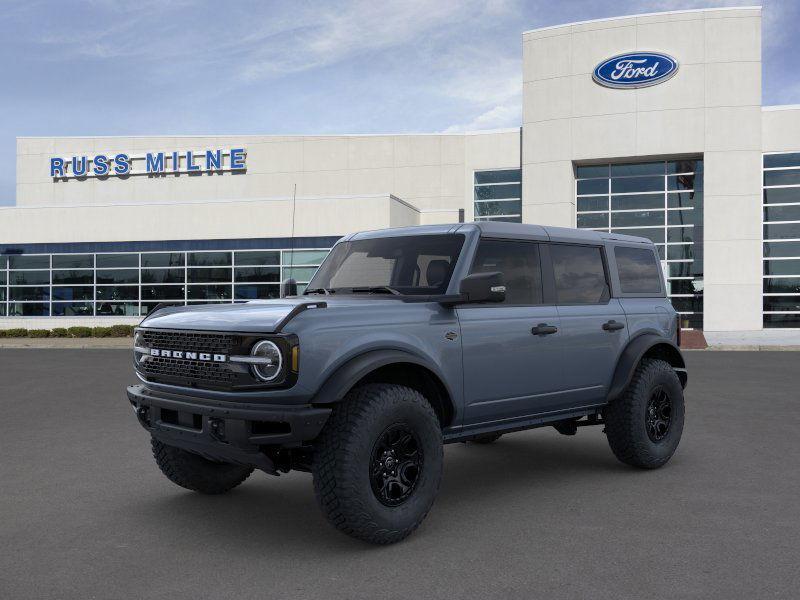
<point>184,371</point>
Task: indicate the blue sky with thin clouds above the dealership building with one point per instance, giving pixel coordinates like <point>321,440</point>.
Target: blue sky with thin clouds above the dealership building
<point>161,67</point>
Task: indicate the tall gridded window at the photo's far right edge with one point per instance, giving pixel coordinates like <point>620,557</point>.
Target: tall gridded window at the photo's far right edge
<point>781,291</point>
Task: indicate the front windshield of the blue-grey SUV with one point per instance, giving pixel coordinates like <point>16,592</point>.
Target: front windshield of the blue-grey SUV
<point>418,264</point>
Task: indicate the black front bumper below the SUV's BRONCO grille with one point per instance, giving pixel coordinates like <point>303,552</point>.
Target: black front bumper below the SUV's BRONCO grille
<point>230,432</point>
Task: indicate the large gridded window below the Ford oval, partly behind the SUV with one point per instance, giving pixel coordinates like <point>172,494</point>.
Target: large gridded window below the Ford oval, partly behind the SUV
<point>659,200</point>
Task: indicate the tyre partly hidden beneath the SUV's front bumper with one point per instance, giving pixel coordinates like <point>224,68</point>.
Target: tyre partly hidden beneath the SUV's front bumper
<point>193,472</point>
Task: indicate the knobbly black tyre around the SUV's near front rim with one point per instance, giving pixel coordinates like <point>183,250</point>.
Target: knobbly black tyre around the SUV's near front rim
<point>344,454</point>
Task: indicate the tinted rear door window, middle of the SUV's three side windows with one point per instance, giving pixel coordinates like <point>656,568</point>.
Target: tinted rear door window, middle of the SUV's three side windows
<point>579,274</point>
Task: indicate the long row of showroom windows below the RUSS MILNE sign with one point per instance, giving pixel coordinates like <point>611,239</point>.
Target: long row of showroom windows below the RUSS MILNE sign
<point>129,284</point>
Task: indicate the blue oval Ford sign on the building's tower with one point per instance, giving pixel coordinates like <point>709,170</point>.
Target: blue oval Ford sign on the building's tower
<point>635,69</point>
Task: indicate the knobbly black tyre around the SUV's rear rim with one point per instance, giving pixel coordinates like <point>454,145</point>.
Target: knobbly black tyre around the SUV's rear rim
<point>625,417</point>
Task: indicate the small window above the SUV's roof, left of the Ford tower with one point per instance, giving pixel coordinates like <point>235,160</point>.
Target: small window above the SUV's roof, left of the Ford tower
<point>498,195</point>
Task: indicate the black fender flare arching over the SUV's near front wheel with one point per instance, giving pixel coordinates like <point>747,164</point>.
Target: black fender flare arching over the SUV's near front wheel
<point>347,375</point>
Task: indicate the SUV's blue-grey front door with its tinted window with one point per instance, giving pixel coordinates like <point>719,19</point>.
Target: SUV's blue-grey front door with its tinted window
<point>511,350</point>
